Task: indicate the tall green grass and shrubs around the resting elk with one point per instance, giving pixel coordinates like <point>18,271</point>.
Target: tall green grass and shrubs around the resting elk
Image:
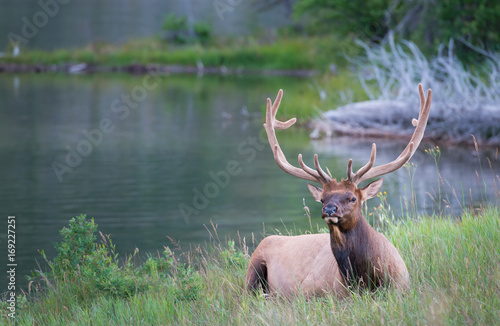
<point>454,267</point>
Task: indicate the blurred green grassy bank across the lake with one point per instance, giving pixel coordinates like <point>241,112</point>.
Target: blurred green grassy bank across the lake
<point>284,53</point>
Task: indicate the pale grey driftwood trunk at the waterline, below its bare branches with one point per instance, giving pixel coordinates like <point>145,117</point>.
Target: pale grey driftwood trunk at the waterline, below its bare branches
<point>389,119</point>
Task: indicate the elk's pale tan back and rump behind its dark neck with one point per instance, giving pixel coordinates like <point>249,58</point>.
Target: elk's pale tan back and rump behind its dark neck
<point>289,265</point>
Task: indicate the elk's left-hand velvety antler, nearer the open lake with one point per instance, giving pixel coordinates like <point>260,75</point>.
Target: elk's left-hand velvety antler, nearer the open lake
<point>271,124</point>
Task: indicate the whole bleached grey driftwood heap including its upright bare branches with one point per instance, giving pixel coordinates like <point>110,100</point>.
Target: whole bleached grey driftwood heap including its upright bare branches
<point>464,102</point>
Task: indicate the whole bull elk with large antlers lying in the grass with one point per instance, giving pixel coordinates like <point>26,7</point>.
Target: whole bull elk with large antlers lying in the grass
<point>292,264</point>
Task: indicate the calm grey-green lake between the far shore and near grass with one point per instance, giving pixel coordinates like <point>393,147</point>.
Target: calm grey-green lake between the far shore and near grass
<point>163,142</point>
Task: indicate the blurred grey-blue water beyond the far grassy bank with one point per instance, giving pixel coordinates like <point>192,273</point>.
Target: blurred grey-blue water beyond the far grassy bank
<point>80,23</point>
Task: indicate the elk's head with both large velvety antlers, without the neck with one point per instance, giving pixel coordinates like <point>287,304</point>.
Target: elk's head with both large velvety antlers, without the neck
<point>342,200</point>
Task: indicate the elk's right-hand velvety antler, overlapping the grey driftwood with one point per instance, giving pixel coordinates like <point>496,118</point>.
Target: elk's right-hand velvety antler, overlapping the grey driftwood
<point>367,172</point>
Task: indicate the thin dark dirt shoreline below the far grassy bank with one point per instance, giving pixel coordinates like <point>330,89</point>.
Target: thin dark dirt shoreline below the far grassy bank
<point>142,69</point>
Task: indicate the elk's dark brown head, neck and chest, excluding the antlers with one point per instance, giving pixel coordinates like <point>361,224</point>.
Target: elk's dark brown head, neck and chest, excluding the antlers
<point>363,255</point>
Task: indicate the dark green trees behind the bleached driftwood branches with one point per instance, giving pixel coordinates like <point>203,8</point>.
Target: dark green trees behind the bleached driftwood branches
<point>429,24</point>
